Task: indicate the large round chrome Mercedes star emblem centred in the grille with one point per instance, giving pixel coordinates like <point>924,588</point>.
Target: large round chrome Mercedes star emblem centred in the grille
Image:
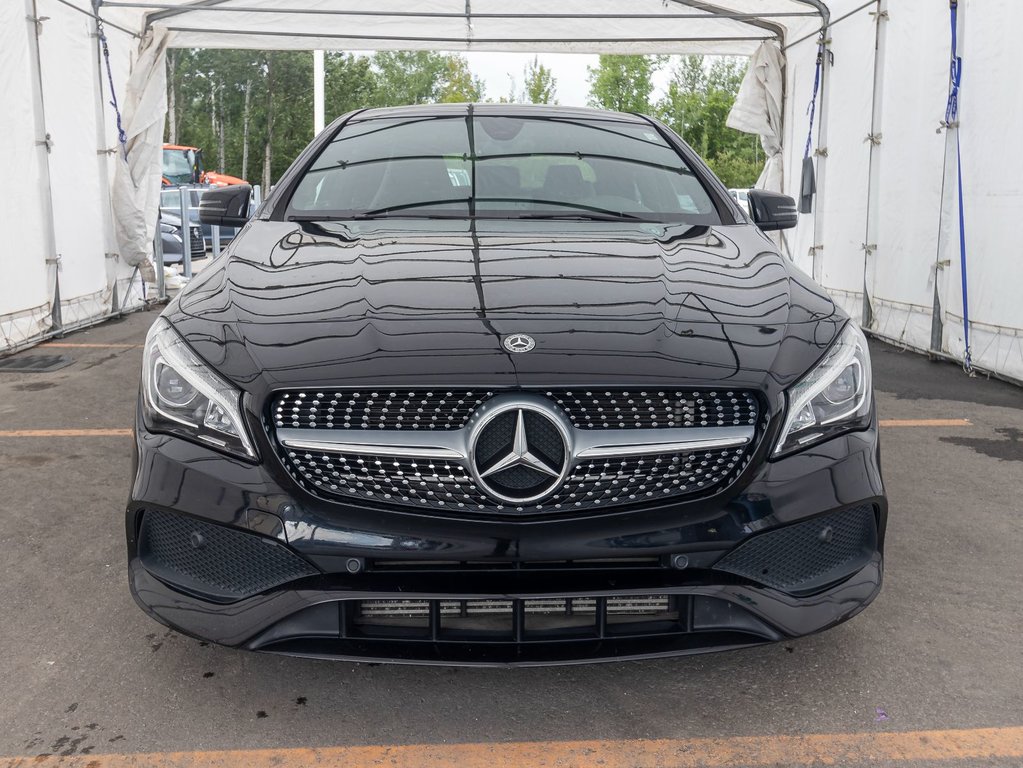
<point>520,453</point>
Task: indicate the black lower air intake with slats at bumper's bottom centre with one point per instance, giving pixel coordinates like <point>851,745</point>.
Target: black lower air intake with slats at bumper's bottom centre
<point>530,629</point>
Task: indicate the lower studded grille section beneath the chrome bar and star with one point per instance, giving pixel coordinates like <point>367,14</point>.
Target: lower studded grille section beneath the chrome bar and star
<point>448,485</point>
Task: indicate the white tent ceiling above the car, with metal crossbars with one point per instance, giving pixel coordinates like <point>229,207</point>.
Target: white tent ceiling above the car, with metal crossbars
<point>735,27</point>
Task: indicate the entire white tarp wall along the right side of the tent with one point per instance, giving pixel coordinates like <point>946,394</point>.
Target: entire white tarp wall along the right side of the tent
<point>889,220</point>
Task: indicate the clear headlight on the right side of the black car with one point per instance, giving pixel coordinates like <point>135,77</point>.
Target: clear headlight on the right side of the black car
<point>833,398</point>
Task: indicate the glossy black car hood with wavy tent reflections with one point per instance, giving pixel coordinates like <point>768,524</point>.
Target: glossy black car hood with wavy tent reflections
<point>429,303</point>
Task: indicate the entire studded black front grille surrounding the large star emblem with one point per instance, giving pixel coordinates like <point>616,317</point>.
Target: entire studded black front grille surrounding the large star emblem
<point>359,473</point>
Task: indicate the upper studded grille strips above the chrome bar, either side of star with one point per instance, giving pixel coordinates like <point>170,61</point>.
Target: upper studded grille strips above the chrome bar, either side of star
<point>452,409</point>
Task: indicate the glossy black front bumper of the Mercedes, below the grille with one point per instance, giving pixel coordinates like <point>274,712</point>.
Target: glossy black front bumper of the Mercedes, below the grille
<point>395,585</point>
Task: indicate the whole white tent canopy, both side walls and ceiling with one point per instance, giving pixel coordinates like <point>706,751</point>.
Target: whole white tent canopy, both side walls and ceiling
<point>883,237</point>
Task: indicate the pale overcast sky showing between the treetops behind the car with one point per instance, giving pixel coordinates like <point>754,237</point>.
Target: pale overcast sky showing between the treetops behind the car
<point>497,70</point>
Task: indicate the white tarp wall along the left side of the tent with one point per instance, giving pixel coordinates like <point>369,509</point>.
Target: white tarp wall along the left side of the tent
<point>60,265</point>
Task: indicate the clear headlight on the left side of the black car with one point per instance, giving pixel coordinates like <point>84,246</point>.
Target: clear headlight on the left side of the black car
<point>182,395</point>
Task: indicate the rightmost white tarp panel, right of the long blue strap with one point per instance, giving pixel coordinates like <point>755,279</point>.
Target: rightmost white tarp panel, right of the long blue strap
<point>992,118</point>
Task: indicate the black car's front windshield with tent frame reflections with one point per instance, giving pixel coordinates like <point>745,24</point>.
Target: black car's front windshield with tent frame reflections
<point>502,167</point>
